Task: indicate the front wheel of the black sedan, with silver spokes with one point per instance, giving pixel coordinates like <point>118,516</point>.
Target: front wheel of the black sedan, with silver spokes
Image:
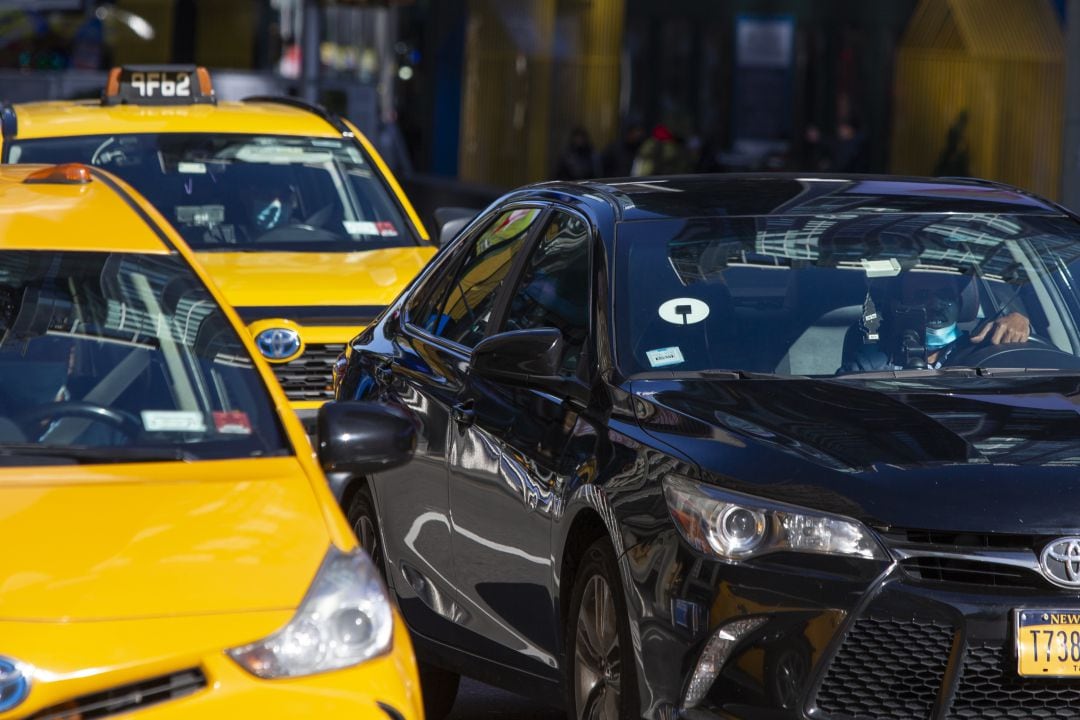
<point>602,675</point>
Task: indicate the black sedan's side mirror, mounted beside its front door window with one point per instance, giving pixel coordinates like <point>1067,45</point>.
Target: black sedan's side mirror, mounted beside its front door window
<point>530,359</point>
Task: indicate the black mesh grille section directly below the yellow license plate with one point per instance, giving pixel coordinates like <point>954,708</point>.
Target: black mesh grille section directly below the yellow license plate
<point>990,688</point>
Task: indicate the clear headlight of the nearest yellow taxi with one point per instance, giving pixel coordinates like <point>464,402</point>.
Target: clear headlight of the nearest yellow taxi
<point>344,620</point>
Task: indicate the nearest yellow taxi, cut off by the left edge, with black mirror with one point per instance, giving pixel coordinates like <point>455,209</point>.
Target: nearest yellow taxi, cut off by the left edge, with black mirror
<point>173,551</point>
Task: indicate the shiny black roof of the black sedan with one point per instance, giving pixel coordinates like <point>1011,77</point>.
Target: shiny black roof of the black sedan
<point>790,195</point>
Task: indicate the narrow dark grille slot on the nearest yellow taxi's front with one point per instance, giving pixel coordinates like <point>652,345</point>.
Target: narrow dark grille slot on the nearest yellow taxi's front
<point>126,699</point>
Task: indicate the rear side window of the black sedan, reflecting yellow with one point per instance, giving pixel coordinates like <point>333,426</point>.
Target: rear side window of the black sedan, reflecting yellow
<point>463,302</point>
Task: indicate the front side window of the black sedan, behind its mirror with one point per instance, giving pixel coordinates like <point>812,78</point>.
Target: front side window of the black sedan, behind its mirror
<point>555,287</point>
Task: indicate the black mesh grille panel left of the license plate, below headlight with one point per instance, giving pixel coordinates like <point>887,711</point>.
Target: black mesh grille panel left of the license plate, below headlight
<point>887,670</point>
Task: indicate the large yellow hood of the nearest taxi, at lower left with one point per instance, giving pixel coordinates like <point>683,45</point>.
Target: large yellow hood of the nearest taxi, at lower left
<point>158,540</point>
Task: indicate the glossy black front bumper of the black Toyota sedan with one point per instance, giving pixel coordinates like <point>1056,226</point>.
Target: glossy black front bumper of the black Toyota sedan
<point>843,640</point>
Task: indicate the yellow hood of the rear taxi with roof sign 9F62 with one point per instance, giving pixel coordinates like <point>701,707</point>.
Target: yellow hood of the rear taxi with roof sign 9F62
<point>371,278</point>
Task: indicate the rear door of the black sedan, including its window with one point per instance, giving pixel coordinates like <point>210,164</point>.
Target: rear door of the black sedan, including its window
<point>448,315</point>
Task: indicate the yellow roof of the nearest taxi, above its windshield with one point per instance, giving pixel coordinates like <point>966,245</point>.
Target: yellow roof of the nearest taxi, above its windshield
<point>102,215</point>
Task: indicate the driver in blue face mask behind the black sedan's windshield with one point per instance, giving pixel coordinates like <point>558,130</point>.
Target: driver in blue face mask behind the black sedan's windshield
<point>922,330</point>
